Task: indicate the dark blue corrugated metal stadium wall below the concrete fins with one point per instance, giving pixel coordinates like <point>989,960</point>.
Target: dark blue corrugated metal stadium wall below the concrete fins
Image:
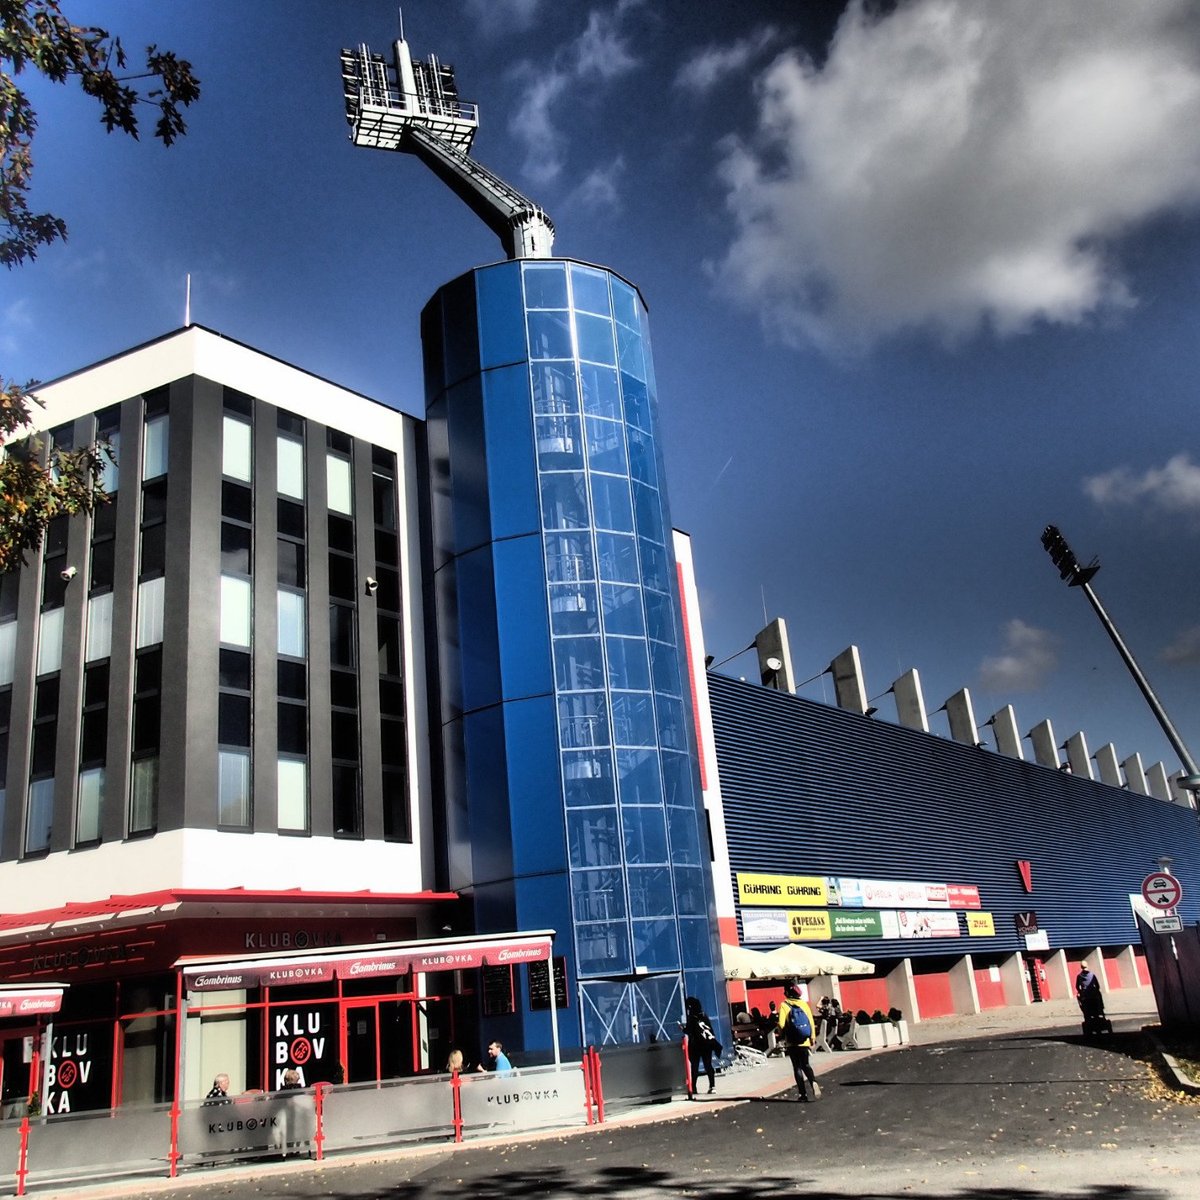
<point>815,790</point>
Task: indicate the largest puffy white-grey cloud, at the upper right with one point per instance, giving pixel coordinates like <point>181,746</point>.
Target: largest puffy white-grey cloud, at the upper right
<point>956,165</point>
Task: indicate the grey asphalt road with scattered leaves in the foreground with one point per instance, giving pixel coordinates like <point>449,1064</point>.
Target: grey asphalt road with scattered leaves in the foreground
<point>1030,1115</point>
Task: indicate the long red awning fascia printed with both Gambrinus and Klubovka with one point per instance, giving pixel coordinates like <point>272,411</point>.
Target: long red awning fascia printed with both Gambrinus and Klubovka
<point>367,962</point>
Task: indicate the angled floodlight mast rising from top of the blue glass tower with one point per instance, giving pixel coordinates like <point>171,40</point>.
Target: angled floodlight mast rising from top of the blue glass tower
<point>413,107</point>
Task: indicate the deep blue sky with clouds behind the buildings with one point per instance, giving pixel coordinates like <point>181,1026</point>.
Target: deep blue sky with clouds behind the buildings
<point>920,284</point>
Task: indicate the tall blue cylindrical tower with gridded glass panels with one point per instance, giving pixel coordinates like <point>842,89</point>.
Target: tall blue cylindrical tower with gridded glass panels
<point>572,790</point>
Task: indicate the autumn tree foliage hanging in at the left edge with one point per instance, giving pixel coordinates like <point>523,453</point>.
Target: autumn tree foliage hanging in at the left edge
<point>37,38</point>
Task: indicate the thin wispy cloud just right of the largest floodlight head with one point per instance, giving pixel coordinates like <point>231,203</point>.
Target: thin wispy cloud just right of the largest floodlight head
<point>598,56</point>
